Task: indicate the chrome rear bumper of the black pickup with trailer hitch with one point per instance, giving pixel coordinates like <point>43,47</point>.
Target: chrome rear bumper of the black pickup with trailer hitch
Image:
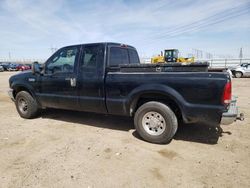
<point>232,114</point>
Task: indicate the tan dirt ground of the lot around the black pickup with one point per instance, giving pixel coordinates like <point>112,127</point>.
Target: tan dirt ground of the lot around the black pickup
<point>74,149</point>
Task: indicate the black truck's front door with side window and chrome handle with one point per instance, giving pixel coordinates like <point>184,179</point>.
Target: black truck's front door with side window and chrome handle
<point>59,82</point>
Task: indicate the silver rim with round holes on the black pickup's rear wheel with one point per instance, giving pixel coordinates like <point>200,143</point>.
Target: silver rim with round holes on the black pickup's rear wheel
<point>153,123</point>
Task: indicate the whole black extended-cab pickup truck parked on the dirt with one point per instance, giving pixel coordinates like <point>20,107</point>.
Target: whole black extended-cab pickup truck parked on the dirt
<point>108,78</point>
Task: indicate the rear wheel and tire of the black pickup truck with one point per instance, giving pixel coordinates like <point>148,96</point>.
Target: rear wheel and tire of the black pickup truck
<point>166,133</point>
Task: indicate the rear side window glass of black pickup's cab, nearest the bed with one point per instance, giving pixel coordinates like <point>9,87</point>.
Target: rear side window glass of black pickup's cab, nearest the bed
<point>118,56</point>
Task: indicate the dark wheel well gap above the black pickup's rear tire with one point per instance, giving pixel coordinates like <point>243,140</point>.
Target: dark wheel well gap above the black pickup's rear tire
<point>160,98</point>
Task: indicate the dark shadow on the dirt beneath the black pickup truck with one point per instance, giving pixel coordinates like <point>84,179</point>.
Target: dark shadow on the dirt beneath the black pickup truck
<point>191,133</point>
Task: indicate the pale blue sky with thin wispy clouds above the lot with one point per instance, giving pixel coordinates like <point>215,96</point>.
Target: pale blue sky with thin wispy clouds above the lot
<point>29,28</point>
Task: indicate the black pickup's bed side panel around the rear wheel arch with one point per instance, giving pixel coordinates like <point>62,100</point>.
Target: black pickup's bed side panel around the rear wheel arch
<point>198,95</point>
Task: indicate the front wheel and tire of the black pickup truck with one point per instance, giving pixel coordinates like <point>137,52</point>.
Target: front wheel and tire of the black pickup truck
<point>26,105</point>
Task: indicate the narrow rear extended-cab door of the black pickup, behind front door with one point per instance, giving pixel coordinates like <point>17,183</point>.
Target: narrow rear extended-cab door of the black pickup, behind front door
<point>91,79</point>
